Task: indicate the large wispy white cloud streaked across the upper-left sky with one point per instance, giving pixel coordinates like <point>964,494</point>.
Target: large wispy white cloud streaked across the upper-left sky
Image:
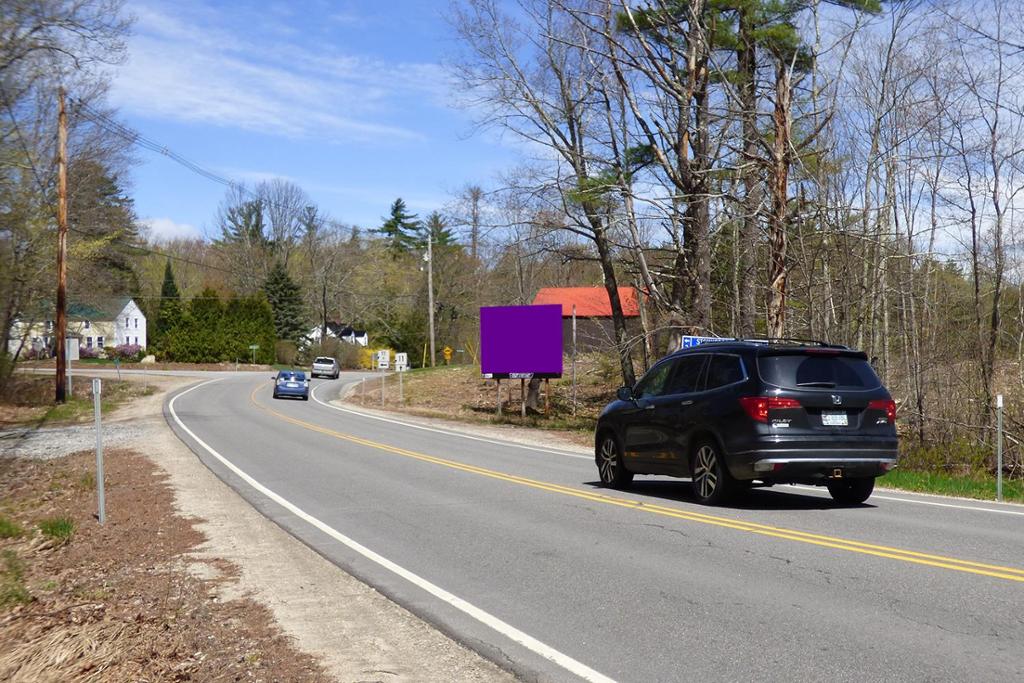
<point>191,68</point>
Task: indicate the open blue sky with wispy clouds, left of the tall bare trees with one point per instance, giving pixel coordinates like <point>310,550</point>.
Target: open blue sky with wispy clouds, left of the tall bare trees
<point>350,100</point>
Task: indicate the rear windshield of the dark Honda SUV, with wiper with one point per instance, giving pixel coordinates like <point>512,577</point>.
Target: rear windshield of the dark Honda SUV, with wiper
<point>825,372</point>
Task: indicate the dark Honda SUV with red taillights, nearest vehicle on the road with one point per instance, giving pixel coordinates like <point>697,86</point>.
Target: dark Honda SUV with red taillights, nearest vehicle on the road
<point>734,413</point>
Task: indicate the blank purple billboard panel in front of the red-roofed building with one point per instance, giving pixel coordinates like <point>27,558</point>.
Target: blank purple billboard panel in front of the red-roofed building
<point>522,341</point>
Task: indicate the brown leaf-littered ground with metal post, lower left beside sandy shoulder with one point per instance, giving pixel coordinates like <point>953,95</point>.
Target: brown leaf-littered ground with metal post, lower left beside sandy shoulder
<point>123,602</point>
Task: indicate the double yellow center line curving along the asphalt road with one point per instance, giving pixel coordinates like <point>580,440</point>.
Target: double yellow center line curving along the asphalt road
<point>994,571</point>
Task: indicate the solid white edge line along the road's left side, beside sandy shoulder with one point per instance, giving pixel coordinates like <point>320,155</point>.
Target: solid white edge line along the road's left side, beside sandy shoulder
<point>481,616</point>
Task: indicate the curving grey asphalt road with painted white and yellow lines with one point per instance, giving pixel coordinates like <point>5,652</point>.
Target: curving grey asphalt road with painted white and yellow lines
<point>519,553</point>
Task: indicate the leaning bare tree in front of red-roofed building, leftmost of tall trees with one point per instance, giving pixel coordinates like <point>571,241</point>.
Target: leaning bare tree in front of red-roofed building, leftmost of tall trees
<point>536,80</point>
